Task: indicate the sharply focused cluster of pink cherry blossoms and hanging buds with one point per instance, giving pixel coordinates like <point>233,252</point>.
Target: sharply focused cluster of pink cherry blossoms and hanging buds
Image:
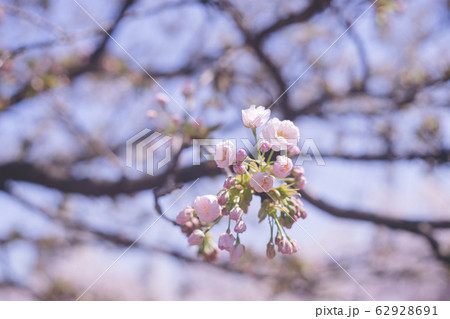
<point>271,175</point>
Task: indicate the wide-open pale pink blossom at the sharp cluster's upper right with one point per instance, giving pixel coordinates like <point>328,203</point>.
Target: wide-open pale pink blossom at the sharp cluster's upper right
<point>280,134</point>
